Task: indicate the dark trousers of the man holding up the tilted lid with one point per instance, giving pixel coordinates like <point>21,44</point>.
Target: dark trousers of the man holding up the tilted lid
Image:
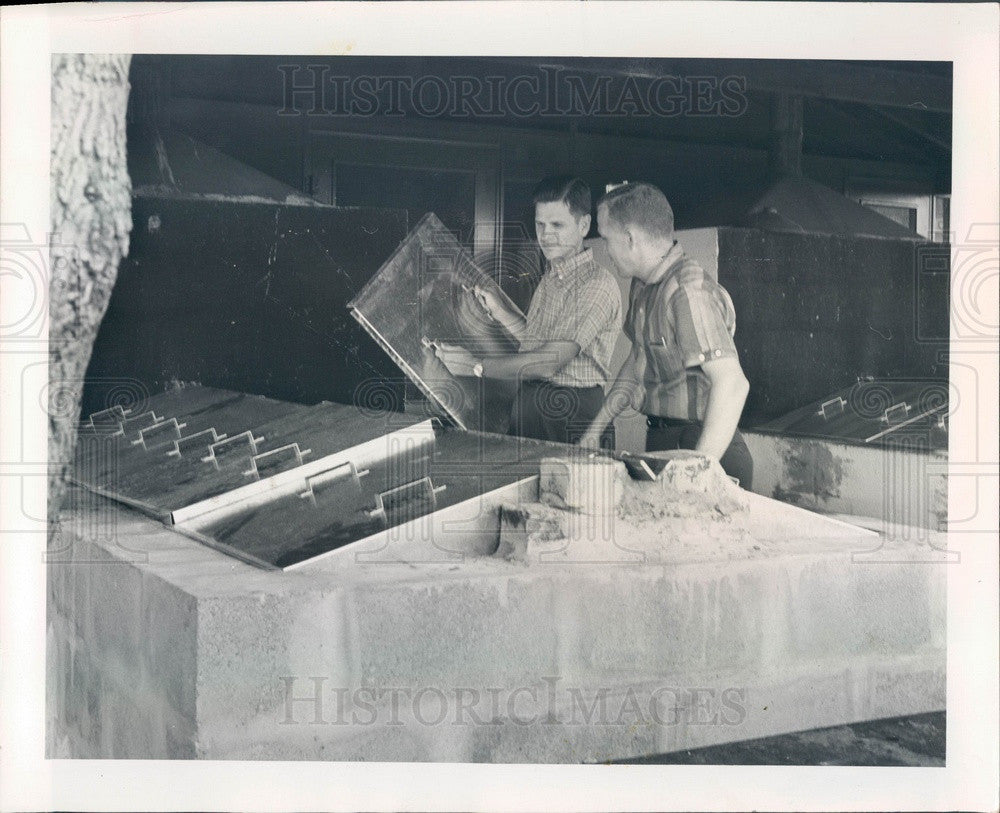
<point>547,411</point>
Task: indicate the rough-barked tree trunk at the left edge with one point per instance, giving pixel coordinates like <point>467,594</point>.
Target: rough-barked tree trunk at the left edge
<point>91,219</point>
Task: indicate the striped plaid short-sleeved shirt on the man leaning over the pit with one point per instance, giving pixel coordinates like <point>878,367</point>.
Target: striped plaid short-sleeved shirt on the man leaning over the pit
<point>683,320</point>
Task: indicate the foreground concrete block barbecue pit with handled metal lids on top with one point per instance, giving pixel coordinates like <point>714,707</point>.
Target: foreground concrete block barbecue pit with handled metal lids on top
<point>556,611</point>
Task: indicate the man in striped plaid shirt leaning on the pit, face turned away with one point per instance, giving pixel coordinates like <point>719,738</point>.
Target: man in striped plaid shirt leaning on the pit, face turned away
<point>683,373</point>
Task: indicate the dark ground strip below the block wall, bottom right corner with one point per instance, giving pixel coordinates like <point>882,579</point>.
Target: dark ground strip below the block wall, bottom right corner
<point>914,741</point>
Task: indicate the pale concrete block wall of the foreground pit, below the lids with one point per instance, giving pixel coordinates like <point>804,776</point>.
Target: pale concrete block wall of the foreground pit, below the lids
<point>160,647</point>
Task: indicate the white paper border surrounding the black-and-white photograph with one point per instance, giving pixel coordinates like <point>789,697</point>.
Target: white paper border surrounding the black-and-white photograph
<point>965,34</point>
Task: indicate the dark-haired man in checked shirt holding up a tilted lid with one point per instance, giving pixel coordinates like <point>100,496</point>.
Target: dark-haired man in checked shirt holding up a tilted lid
<point>569,333</point>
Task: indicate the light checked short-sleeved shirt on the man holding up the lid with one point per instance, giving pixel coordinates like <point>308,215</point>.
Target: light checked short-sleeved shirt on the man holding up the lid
<point>577,300</point>
